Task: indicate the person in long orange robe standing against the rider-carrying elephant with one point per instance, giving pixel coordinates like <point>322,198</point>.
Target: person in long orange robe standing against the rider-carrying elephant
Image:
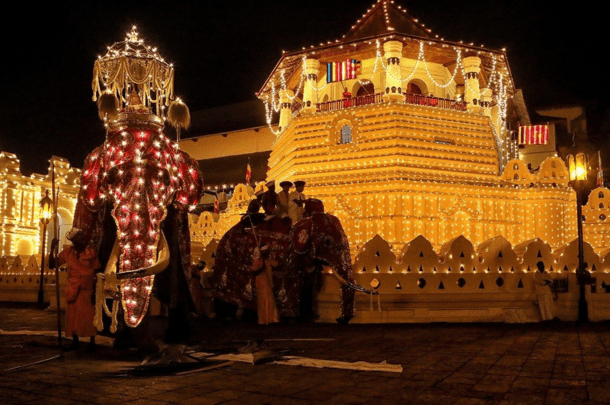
<point>263,283</point>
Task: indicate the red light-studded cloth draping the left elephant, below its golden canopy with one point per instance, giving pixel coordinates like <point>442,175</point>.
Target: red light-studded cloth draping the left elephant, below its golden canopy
<point>148,185</point>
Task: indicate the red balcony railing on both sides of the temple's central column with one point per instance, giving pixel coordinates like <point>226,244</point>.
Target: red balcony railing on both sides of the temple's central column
<point>415,99</point>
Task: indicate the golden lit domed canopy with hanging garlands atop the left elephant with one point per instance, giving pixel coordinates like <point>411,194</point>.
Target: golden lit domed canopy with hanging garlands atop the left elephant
<point>132,67</point>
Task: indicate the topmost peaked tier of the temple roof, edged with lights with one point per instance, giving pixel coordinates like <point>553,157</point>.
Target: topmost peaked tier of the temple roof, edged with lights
<point>386,17</point>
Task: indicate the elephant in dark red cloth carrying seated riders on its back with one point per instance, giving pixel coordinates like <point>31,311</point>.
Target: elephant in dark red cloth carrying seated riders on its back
<point>309,244</point>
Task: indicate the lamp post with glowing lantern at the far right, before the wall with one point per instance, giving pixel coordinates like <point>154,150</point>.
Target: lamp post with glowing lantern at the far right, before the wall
<point>578,175</point>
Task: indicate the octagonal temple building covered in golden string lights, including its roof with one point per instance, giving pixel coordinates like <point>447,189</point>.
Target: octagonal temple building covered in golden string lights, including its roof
<point>414,140</point>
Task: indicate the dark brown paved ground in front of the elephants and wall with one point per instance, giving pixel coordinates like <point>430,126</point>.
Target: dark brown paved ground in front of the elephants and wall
<point>550,363</point>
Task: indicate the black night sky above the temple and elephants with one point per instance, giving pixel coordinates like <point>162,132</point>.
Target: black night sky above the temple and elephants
<point>224,50</point>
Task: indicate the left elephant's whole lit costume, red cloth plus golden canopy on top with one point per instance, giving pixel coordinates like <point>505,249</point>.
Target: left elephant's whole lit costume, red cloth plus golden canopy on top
<point>144,181</point>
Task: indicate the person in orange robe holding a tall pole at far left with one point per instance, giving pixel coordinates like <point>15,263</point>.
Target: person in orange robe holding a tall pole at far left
<point>81,262</point>
